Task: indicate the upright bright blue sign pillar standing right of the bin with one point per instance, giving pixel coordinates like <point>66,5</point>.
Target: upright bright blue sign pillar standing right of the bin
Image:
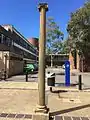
<point>67,73</point>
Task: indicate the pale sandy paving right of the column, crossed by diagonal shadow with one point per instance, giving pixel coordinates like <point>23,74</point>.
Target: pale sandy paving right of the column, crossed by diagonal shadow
<point>71,104</point>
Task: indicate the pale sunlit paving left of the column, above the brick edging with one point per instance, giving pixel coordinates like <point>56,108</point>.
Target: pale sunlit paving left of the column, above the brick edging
<point>16,101</point>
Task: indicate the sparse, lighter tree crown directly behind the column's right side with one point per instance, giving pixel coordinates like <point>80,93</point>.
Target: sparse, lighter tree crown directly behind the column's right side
<point>54,37</point>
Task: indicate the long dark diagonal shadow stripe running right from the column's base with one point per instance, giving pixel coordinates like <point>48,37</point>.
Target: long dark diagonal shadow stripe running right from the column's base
<point>69,110</point>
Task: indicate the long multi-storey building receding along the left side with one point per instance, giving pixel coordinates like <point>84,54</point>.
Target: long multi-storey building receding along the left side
<point>15,51</point>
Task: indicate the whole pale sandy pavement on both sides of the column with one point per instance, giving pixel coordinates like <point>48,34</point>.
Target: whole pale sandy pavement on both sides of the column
<point>21,98</point>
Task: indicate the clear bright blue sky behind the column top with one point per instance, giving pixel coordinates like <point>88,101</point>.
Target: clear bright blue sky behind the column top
<point>24,14</point>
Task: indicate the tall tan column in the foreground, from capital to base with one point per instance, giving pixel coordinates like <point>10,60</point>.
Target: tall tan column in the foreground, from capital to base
<point>42,40</point>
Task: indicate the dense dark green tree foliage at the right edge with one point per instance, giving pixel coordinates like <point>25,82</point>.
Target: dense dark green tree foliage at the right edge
<point>79,30</point>
